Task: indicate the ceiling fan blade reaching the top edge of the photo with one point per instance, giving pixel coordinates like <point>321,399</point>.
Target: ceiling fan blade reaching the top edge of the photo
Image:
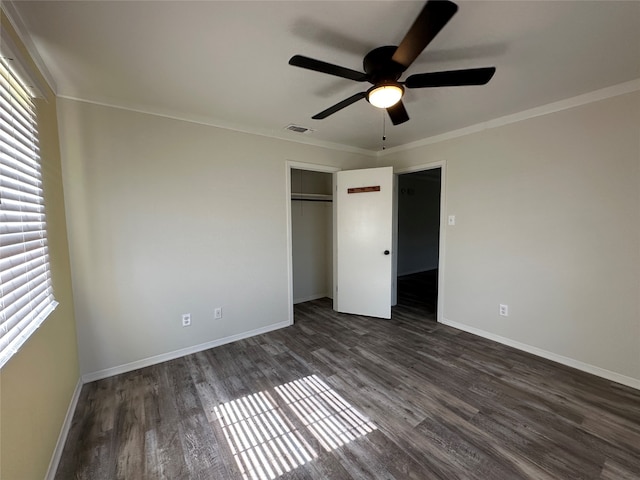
<point>434,16</point>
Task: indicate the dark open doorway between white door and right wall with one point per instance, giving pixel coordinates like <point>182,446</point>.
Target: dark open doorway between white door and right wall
<point>418,242</point>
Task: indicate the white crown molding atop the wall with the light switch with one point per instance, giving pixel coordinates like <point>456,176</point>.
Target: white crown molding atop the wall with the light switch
<point>597,95</point>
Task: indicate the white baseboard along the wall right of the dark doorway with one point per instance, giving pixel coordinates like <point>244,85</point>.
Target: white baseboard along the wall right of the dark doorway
<point>570,362</point>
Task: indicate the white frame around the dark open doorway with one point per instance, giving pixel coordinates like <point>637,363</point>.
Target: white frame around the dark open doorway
<point>442,164</point>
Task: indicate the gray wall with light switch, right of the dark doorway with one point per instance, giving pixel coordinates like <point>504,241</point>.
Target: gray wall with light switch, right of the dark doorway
<point>547,221</point>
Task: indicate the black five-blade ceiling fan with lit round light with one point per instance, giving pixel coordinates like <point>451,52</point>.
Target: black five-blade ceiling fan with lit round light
<point>383,66</point>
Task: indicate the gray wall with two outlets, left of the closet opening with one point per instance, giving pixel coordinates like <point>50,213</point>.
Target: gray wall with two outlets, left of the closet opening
<point>168,217</point>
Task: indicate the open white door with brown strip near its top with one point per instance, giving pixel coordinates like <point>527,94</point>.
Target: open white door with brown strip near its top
<point>363,233</point>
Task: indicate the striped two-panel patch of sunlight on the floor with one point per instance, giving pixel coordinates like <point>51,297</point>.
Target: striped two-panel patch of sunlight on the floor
<point>265,441</point>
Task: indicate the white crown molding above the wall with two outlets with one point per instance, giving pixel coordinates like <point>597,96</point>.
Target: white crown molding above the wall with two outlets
<point>218,123</point>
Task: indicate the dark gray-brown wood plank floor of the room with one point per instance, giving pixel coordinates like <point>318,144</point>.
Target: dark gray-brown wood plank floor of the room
<point>347,397</point>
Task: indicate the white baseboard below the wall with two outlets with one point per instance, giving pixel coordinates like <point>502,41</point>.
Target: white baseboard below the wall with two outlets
<point>147,362</point>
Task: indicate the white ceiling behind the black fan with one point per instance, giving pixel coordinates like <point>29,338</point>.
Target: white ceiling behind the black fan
<point>225,63</point>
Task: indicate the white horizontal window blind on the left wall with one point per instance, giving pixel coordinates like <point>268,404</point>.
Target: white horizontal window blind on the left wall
<point>26,295</point>
